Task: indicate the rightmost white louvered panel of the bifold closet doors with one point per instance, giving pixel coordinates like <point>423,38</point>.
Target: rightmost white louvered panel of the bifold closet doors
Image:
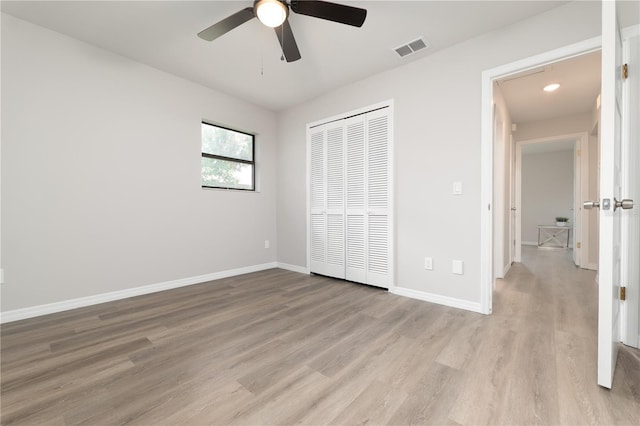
<point>379,202</point>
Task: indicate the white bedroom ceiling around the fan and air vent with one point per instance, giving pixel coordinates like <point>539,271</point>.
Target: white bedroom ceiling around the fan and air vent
<point>246,61</point>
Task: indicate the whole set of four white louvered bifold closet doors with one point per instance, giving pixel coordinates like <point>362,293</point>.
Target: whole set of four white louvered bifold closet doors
<point>350,176</point>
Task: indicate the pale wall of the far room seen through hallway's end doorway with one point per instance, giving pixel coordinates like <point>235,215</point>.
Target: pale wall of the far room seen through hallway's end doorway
<point>547,190</point>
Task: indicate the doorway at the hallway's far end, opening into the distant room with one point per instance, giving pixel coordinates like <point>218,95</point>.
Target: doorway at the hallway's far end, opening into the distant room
<point>556,182</point>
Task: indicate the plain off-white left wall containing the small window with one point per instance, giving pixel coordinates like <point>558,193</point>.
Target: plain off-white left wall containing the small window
<point>101,174</point>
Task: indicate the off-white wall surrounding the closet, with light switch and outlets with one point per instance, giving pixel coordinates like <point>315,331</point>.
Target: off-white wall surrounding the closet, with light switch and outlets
<point>437,142</point>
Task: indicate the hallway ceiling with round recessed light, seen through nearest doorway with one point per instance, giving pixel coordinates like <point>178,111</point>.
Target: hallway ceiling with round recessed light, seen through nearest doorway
<point>579,80</point>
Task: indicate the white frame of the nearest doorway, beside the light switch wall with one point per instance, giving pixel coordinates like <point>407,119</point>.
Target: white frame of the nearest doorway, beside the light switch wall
<point>486,151</point>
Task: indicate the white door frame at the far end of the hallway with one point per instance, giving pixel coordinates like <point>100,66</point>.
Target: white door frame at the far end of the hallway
<point>580,174</point>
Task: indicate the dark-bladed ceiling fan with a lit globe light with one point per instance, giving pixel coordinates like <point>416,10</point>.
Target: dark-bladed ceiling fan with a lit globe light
<point>274,13</point>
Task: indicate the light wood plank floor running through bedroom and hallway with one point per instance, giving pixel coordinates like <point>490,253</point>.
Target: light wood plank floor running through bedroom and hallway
<point>276,347</point>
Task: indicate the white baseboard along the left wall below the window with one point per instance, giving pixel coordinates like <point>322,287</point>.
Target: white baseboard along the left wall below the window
<point>52,308</point>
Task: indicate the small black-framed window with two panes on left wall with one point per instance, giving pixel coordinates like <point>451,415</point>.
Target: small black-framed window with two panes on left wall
<point>228,159</point>
